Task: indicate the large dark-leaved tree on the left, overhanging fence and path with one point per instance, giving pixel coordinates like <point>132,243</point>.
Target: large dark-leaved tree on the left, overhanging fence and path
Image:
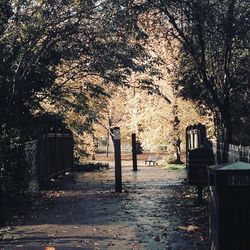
<point>45,46</point>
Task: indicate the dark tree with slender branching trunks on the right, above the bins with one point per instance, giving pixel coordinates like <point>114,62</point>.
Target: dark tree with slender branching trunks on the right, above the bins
<point>215,39</point>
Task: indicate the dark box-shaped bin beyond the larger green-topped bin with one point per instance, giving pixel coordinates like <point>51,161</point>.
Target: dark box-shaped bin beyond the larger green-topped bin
<point>198,160</point>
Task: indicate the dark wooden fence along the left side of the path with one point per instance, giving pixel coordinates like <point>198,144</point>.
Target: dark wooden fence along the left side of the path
<point>49,156</point>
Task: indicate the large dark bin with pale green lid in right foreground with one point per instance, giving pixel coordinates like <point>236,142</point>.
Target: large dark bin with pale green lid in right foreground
<point>229,206</point>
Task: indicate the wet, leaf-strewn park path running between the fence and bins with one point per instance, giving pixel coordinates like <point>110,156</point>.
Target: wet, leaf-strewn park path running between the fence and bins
<point>87,214</point>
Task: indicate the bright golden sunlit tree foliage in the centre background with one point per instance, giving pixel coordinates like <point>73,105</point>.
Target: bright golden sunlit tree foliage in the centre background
<point>151,106</point>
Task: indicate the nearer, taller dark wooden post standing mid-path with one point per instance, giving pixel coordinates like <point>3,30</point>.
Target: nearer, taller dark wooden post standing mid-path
<point>117,148</point>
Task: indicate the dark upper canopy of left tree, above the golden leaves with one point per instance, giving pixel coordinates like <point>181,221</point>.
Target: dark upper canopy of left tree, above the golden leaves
<point>90,37</point>
